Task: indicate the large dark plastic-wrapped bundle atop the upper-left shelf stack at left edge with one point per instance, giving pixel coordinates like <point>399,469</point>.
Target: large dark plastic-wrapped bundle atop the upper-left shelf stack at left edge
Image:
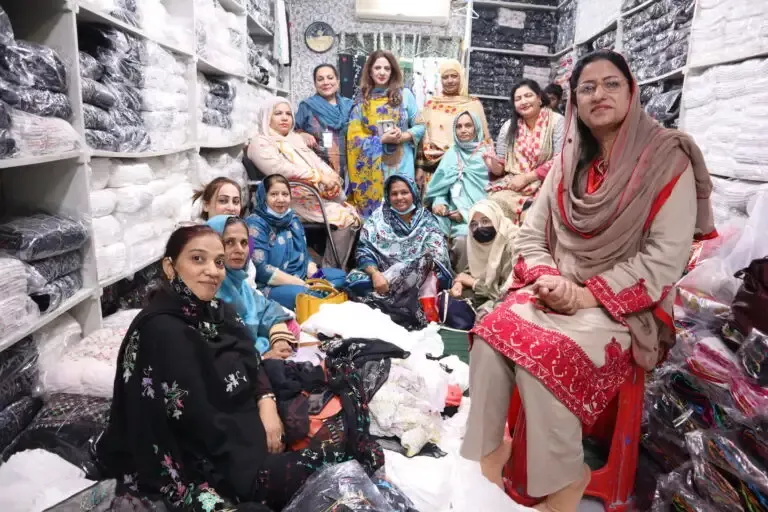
<point>32,65</point>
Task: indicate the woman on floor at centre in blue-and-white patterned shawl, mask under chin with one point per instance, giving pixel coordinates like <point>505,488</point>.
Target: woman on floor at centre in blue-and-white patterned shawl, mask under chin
<point>401,245</point>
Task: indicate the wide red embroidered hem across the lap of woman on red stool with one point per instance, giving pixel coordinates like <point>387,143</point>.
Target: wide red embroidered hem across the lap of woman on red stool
<point>558,361</point>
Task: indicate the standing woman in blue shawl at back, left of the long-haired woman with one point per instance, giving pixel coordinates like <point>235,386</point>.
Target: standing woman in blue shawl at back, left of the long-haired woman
<point>322,119</point>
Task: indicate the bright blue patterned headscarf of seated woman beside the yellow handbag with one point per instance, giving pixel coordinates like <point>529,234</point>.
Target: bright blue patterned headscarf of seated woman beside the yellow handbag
<point>278,242</point>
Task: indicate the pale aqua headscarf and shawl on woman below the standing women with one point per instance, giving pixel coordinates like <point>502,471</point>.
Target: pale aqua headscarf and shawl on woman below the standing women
<point>460,180</point>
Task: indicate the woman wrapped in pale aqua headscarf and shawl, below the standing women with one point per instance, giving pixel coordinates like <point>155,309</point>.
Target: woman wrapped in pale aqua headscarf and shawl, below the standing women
<point>459,183</point>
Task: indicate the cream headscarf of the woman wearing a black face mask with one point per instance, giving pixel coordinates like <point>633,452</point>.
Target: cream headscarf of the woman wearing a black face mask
<point>485,259</point>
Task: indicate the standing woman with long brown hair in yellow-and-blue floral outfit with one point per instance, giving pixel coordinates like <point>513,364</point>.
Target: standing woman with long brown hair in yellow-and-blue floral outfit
<point>385,129</point>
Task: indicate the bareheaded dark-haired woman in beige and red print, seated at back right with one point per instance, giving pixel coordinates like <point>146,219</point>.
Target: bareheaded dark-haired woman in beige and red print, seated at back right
<point>524,151</point>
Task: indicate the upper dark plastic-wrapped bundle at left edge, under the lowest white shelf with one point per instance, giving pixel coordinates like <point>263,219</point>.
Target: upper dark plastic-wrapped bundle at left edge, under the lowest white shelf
<point>18,372</point>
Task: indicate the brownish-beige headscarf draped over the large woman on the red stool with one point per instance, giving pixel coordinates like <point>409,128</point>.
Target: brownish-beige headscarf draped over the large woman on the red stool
<point>607,226</point>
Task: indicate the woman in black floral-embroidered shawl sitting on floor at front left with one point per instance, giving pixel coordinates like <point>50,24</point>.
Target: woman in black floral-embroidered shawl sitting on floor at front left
<point>194,422</point>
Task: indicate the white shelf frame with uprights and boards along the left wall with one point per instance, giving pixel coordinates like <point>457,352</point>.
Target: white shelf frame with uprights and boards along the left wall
<point>60,183</point>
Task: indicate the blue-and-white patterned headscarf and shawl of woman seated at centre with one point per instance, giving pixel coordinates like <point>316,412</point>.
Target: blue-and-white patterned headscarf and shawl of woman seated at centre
<point>387,239</point>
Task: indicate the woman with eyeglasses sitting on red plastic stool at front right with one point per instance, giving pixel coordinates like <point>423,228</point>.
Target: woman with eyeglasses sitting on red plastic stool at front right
<point>596,263</point>
